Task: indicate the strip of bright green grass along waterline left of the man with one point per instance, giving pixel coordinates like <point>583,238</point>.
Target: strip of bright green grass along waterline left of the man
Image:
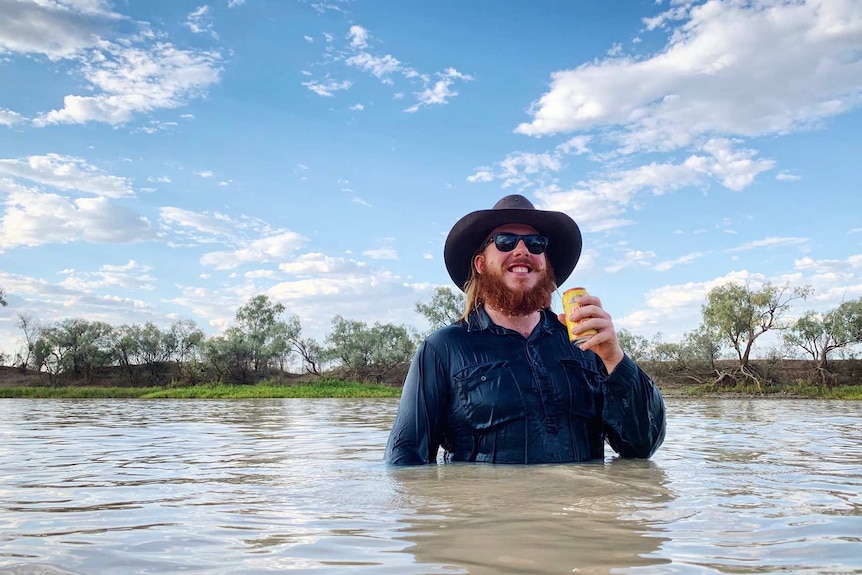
<point>323,388</point>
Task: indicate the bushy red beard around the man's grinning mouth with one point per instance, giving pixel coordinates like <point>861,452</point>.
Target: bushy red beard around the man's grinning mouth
<point>494,293</point>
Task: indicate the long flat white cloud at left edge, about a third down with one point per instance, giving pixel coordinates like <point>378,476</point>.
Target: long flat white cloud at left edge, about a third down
<point>66,173</point>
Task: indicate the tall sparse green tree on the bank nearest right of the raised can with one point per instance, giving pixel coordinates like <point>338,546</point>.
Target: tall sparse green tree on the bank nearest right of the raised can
<point>739,314</point>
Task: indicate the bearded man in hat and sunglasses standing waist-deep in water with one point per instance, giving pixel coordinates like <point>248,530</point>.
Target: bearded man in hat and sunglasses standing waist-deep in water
<point>505,384</point>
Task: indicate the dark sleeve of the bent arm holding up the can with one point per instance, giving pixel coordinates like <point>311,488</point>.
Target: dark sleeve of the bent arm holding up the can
<point>633,413</point>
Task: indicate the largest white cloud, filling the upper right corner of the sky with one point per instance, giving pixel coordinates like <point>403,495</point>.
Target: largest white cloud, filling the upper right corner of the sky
<point>796,65</point>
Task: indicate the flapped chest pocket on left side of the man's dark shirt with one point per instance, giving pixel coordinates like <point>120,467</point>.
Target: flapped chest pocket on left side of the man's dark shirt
<point>489,395</point>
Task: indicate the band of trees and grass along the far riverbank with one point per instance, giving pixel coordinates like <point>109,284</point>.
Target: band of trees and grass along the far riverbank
<point>264,354</point>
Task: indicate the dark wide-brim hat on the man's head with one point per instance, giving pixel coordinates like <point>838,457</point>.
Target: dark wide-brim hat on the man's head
<point>468,233</point>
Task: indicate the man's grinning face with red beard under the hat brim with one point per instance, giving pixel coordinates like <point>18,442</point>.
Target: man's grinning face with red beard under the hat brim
<point>516,282</point>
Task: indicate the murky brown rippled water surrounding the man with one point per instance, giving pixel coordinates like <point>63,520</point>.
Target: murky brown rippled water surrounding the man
<point>106,487</point>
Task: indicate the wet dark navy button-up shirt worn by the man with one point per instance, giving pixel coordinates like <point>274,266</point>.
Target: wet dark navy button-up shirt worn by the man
<point>483,392</point>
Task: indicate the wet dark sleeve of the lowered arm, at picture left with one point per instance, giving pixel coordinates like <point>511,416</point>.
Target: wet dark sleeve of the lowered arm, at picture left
<point>416,434</point>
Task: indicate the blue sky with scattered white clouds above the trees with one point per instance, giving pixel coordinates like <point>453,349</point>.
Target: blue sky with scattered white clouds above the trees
<point>171,160</point>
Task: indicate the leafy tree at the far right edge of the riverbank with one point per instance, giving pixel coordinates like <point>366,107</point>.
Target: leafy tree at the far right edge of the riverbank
<point>821,334</point>
